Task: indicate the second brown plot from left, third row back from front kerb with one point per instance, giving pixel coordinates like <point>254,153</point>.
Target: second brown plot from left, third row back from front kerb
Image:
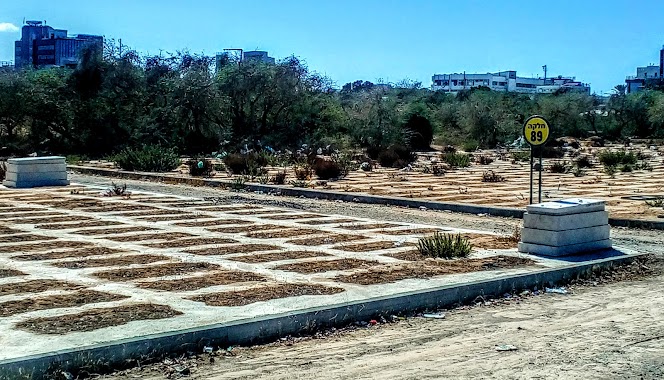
<point>171,269</point>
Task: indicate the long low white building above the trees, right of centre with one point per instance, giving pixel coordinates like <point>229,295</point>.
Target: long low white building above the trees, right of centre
<point>504,81</point>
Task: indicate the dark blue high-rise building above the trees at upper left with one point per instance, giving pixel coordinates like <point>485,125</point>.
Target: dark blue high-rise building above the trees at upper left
<point>43,46</point>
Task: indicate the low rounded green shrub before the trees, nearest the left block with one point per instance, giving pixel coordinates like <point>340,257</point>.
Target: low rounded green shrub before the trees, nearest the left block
<point>149,158</point>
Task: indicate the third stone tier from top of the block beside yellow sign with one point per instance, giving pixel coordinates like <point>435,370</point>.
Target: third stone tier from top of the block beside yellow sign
<point>566,237</point>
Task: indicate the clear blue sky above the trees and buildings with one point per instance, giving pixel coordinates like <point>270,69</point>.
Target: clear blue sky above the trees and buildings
<point>599,42</point>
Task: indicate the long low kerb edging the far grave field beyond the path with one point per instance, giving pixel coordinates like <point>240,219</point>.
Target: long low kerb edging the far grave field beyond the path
<point>347,197</point>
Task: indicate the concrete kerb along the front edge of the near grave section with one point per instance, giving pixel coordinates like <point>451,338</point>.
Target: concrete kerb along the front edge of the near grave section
<point>103,358</point>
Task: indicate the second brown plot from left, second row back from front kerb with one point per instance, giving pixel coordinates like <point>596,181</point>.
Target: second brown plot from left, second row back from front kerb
<point>200,282</point>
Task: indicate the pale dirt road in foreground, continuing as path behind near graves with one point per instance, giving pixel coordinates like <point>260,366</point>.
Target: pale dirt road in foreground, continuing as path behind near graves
<point>598,331</point>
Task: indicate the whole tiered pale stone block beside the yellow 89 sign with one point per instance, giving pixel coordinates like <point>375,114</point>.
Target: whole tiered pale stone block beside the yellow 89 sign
<point>565,227</point>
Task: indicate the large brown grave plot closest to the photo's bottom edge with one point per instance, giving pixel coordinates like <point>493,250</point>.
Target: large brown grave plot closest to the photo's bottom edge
<point>97,318</point>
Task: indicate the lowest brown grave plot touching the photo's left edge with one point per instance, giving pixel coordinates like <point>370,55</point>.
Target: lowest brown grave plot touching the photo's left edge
<point>57,301</point>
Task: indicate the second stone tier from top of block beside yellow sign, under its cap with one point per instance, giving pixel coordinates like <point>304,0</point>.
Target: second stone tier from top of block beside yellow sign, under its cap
<point>565,222</point>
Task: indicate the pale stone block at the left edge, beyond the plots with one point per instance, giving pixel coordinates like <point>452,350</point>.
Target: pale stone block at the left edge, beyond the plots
<point>36,172</point>
